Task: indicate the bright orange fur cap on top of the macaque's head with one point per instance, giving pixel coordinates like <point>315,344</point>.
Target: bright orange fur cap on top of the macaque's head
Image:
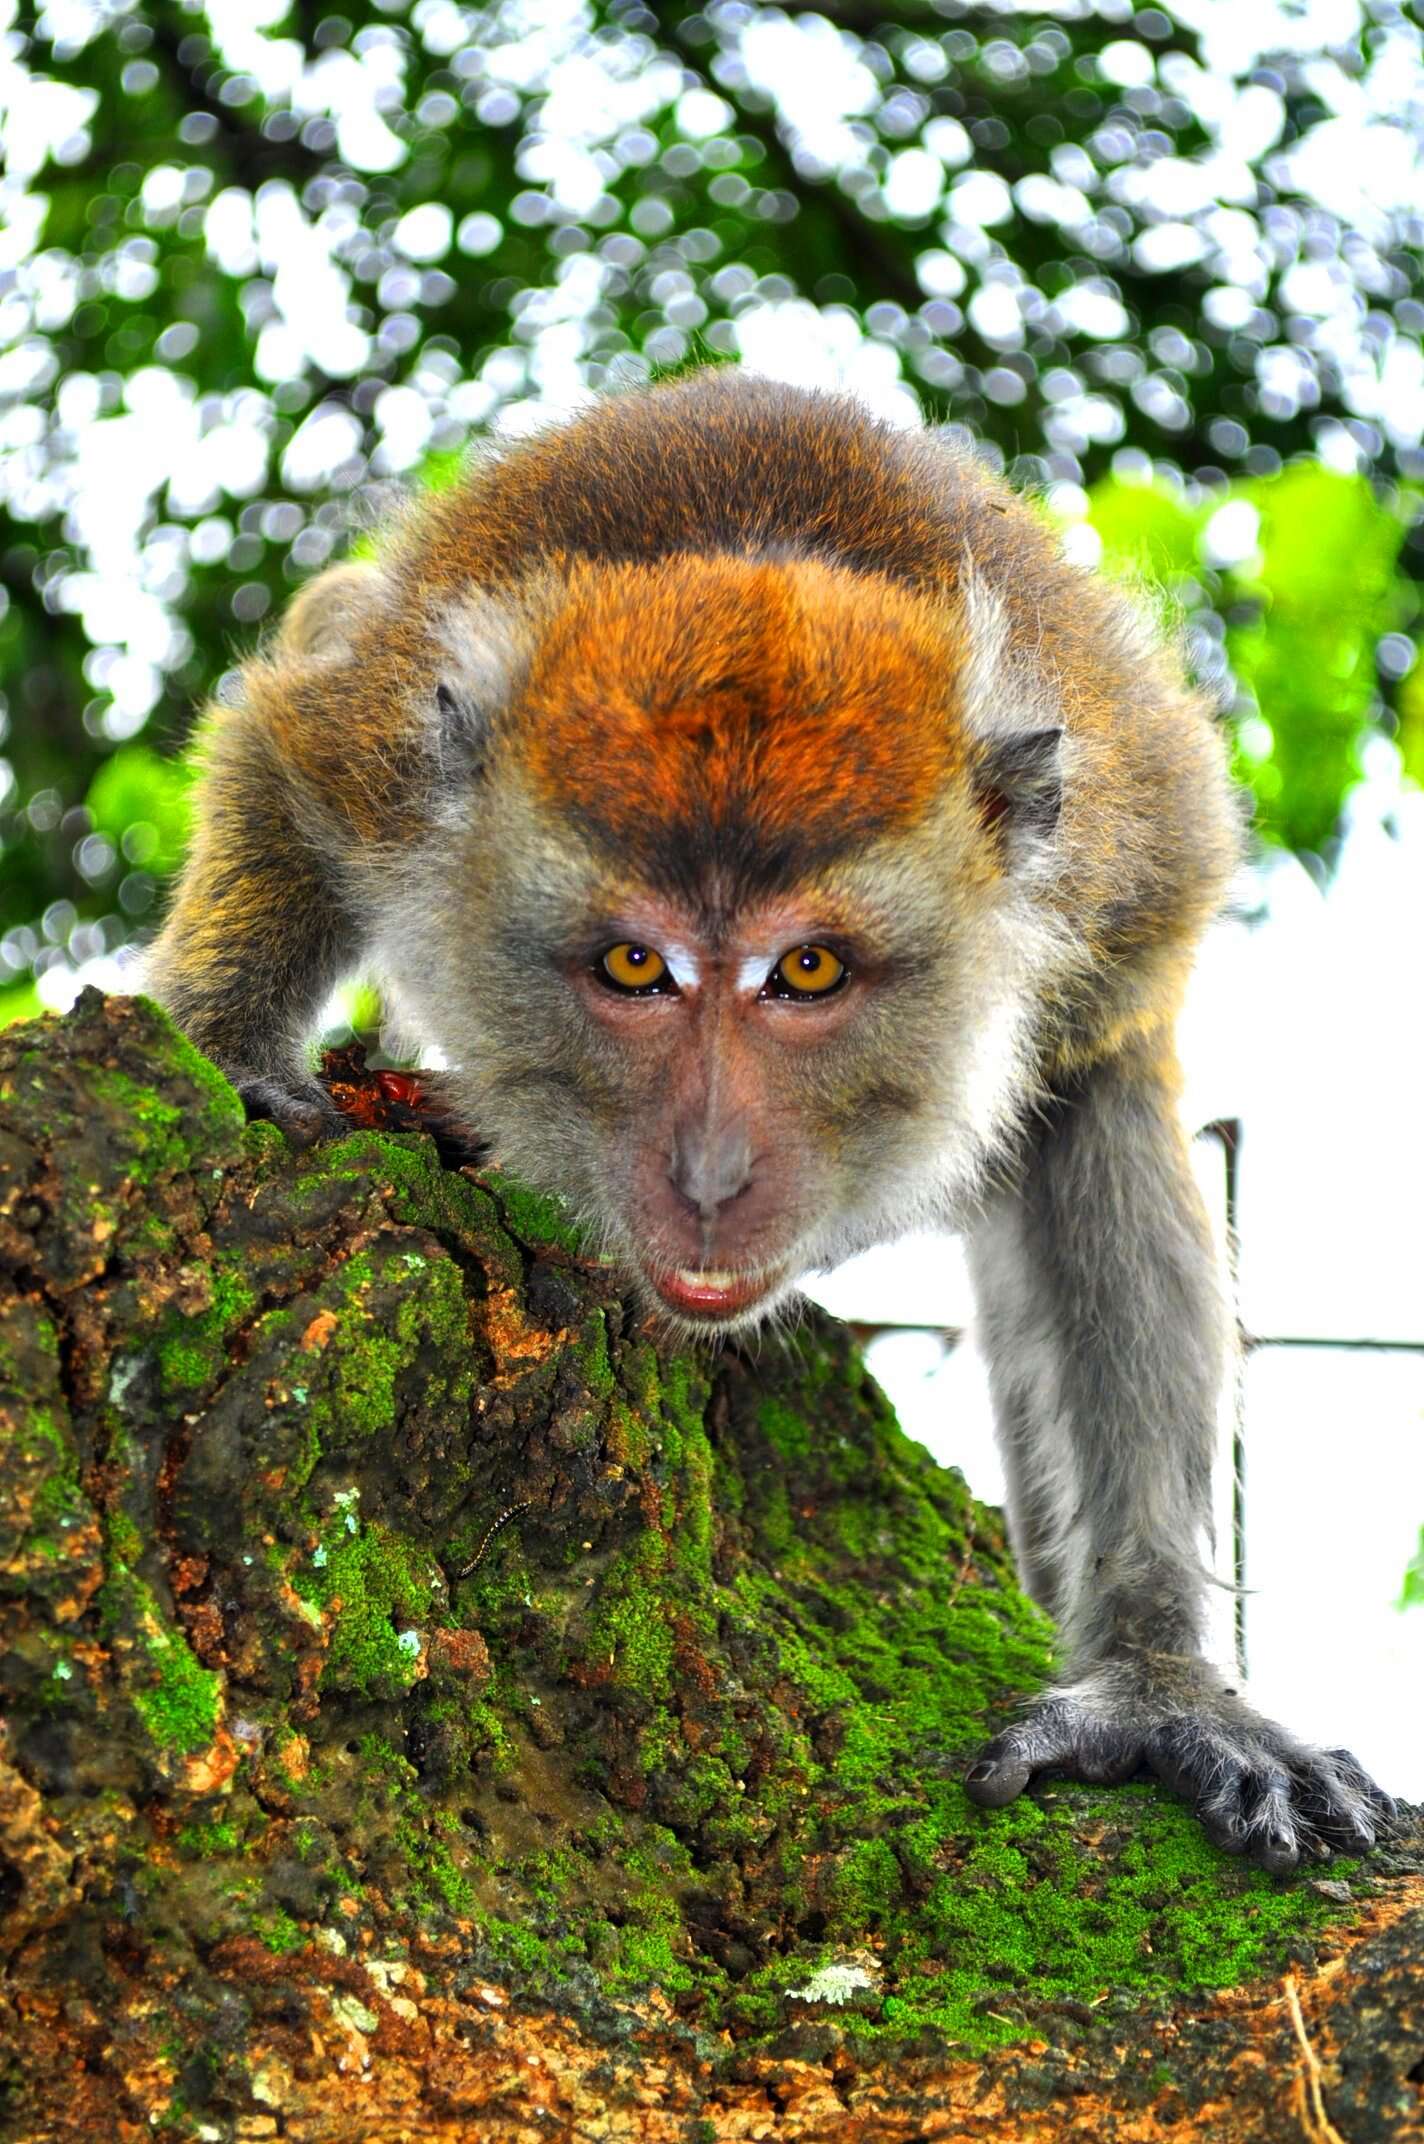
<point>743,704</point>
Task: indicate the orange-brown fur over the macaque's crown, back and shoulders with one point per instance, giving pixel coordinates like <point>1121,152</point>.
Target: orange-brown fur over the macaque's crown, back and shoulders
<point>756,597</point>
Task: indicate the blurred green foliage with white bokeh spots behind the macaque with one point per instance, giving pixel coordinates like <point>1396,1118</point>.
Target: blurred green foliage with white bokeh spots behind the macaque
<point>261,260</point>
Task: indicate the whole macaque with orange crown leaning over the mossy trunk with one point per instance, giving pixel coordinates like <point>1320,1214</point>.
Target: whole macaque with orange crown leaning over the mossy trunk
<point>786,846</point>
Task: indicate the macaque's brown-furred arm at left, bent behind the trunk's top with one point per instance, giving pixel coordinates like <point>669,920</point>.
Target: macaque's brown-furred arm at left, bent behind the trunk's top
<point>258,936</point>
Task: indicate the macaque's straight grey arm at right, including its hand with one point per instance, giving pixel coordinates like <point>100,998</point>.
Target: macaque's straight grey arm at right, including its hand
<point>1110,1343</point>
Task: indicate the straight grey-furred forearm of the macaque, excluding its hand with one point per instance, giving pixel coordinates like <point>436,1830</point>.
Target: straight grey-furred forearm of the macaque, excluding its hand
<point>1108,1339</point>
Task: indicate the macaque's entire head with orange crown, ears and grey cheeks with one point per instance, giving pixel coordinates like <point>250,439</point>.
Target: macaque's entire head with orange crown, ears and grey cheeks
<point>726,912</point>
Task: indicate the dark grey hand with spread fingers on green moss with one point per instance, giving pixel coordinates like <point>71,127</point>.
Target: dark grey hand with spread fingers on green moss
<point>1256,1789</point>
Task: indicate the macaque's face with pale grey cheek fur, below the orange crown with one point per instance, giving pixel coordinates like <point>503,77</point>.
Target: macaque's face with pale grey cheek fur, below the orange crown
<point>730,1092</point>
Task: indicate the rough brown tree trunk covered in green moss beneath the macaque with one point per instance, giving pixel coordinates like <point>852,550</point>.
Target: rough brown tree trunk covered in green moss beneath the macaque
<point>434,1712</point>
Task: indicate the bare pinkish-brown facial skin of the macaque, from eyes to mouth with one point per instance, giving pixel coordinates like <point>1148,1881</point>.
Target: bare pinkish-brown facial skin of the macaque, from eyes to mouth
<point>732,1054</point>
